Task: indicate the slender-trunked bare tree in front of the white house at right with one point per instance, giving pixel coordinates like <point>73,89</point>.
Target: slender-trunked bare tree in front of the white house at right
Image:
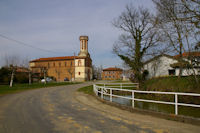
<point>176,31</point>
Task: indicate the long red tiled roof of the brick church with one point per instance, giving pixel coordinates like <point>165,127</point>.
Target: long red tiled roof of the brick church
<point>56,58</point>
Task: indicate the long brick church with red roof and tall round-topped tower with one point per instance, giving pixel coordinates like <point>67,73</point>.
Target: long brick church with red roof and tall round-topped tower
<point>66,68</point>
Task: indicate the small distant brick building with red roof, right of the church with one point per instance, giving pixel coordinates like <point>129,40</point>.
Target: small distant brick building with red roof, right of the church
<point>112,74</point>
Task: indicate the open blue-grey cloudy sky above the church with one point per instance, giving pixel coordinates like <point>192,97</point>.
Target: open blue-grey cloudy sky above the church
<point>55,26</point>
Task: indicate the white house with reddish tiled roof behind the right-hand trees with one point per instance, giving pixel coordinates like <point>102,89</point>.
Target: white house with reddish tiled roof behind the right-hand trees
<point>166,65</point>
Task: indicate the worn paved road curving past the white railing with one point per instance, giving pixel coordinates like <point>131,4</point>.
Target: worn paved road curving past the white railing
<point>63,110</point>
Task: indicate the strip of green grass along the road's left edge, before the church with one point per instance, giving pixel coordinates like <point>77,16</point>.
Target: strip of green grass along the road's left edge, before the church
<point>5,89</point>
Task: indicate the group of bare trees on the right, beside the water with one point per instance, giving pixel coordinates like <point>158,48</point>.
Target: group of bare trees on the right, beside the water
<point>173,29</point>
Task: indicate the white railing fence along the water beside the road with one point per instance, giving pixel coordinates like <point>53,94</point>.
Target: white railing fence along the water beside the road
<point>107,89</point>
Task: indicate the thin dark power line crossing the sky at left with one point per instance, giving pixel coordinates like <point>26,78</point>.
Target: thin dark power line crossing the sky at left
<point>25,44</point>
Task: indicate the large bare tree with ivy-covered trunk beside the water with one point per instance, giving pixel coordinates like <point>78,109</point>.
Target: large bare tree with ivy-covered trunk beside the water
<point>140,38</point>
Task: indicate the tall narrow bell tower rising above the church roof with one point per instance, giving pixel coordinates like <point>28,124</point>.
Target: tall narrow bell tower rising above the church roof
<point>83,46</point>
